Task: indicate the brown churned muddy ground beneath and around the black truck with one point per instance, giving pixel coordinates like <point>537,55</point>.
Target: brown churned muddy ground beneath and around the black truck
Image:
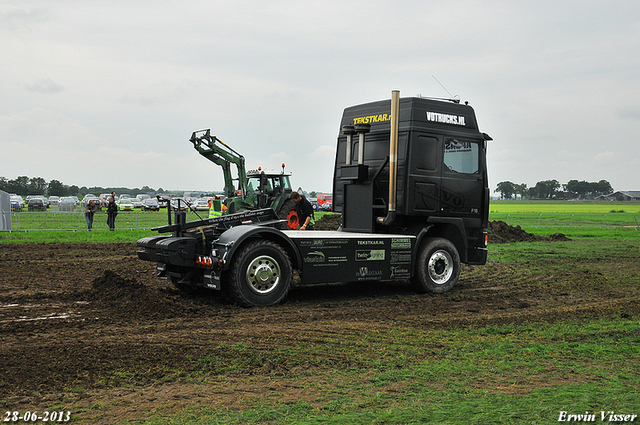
<point>76,319</point>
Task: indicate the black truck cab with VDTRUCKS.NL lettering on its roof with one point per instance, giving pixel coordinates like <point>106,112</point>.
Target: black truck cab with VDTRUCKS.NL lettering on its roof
<point>441,184</point>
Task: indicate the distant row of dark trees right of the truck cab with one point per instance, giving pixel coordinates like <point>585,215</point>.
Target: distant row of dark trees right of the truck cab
<point>552,189</point>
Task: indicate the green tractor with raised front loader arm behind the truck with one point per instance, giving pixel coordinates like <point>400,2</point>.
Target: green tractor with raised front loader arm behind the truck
<point>255,189</point>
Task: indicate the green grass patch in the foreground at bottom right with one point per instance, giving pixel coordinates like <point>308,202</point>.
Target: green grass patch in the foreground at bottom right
<point>517,374</point>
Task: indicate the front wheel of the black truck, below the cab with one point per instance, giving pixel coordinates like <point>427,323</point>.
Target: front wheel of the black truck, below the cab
<point>437,267</point>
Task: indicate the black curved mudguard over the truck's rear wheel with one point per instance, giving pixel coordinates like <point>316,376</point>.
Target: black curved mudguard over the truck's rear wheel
<point>233,238</point>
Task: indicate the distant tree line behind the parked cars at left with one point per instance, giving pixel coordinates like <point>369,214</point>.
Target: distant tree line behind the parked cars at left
<point>24,186</point>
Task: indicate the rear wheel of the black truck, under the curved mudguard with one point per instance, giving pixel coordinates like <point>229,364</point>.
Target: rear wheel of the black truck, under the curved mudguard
<point>260,274</point>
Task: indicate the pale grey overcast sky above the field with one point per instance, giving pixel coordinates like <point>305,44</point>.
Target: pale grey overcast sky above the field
<point>107,93</point>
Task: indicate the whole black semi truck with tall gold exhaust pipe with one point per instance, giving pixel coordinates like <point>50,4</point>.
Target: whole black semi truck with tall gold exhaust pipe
<point>410,182</point>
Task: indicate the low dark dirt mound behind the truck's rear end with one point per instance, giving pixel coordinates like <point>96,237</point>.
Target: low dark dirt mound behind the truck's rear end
<point>129,298</point>
